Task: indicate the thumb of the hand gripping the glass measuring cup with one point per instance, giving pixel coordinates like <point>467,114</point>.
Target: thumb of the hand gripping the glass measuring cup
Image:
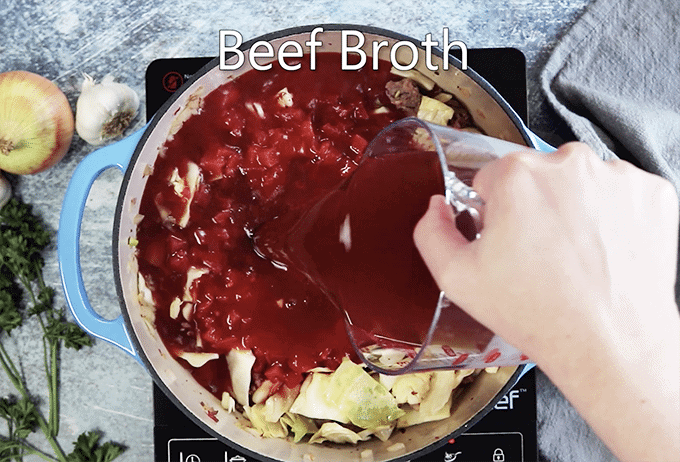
<point>443,248</point>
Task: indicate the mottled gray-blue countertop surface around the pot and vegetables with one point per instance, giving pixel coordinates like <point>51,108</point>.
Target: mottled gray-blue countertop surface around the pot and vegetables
<point>103,388</point>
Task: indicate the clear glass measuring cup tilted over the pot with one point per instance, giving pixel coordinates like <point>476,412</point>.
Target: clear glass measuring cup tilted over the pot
<point>383,333</point>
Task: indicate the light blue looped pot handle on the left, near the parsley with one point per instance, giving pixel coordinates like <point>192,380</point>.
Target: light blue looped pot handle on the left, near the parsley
<point>68,242</point>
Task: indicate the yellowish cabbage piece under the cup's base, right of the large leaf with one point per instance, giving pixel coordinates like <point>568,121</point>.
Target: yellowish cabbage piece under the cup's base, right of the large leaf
<point>436,404</point>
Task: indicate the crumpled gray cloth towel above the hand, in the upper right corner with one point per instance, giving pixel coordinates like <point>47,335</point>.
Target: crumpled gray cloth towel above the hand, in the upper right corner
<point>615,79</point>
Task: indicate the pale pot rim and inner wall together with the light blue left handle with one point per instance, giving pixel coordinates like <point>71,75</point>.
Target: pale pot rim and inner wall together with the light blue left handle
<point>133,331</point>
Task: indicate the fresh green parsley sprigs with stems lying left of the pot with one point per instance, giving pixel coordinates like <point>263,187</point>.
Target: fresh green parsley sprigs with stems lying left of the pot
<point>24,295</point>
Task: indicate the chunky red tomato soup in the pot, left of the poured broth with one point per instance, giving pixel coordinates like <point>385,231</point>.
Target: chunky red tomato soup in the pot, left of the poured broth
<point>262,145</point>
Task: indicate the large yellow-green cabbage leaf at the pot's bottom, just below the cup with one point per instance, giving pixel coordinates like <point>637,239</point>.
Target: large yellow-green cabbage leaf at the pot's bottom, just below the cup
<point>361,398</point>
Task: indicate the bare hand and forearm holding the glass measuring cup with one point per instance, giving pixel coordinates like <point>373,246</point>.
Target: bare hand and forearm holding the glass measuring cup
<point>576,267</point>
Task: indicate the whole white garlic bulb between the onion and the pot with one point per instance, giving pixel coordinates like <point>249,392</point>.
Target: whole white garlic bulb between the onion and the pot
<point>104,110</point>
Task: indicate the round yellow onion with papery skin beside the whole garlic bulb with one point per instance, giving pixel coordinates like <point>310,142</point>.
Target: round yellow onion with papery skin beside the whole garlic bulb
<point>36,123</point>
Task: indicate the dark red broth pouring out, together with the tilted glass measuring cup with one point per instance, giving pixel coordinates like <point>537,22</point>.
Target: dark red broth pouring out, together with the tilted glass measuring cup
<point>357,245</point>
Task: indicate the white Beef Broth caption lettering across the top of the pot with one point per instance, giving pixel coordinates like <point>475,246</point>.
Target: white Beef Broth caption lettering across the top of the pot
<point>404,54</point>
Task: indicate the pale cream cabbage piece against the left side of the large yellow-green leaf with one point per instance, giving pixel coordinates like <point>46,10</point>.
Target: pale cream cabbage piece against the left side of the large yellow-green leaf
<point>311,401</point>
